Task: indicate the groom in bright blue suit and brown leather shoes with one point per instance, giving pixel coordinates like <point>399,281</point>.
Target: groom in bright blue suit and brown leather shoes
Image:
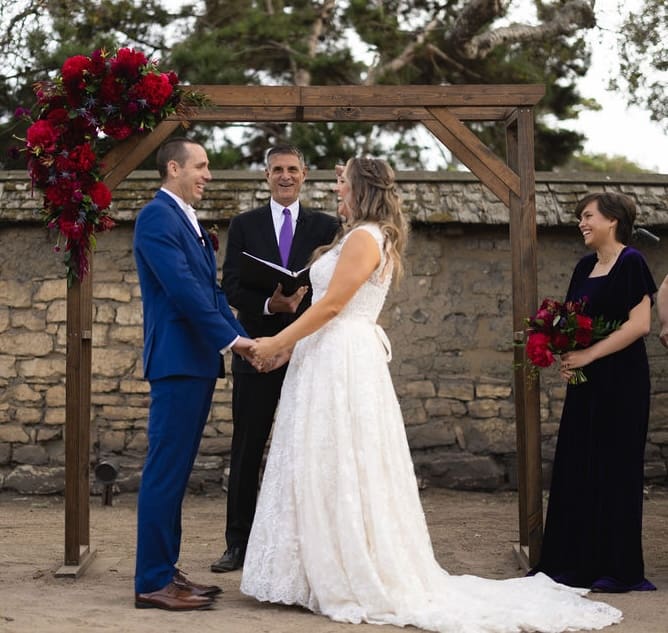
<point>188,325</point>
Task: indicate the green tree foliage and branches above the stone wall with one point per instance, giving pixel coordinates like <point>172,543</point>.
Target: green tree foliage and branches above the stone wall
<point>324,42</point>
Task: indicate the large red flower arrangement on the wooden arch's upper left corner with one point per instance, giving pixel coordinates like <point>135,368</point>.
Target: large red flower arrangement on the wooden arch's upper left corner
<point>94,99</point>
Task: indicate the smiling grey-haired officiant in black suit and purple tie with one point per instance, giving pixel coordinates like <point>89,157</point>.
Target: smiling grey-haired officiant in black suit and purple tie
<point>286,233</point>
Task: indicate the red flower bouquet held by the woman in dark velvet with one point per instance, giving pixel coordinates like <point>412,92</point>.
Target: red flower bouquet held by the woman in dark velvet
<point>558,328</point>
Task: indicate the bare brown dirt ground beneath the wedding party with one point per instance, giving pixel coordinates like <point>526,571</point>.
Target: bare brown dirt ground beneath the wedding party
<point>471,532</point>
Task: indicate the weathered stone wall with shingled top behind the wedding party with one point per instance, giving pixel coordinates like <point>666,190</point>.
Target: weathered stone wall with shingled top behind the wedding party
<point>449,323</point>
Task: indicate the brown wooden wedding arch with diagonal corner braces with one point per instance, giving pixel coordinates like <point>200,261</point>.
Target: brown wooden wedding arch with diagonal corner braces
<point>442,110</point>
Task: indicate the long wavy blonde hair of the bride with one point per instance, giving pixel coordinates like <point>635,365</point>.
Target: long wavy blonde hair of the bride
<point>374,198</point>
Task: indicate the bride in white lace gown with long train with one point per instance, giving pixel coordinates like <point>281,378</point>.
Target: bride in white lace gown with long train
<point>339,528</point>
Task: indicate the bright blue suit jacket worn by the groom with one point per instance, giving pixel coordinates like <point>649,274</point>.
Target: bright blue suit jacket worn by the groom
<point>187,319</point>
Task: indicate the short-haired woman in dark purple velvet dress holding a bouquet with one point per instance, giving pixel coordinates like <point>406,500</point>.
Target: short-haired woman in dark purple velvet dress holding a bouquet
<point>594,517</point>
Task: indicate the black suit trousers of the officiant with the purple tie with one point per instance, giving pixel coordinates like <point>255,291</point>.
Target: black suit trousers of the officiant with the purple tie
<point>254,400</point>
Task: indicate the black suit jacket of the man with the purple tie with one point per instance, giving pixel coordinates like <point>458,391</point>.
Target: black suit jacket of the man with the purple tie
<point>253,231</point>
